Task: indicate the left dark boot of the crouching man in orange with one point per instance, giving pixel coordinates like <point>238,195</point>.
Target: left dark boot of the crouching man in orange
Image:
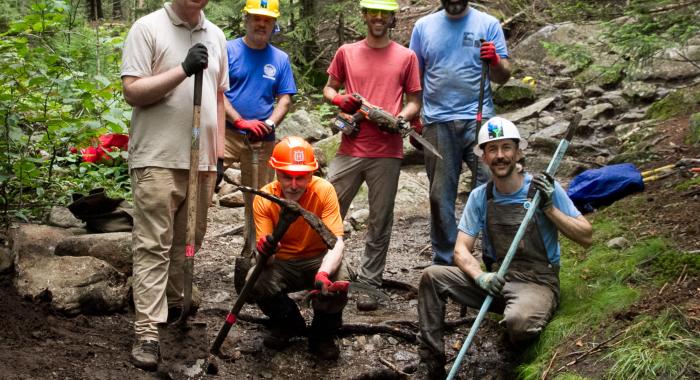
<point>286,321</point>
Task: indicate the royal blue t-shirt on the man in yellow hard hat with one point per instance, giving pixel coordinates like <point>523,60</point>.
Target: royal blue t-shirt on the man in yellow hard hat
<point>256,78</point>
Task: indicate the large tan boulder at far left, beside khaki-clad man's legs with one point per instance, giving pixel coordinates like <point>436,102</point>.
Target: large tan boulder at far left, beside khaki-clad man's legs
<point>71,284</point>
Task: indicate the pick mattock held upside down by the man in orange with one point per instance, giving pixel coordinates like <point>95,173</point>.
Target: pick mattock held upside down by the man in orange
<point>288,214</point>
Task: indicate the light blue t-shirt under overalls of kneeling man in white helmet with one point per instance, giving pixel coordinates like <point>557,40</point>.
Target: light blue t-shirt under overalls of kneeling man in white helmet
<point>474,216</point>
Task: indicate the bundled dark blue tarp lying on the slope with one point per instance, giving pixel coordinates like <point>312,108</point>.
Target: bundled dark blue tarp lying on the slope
<point>600,187</point>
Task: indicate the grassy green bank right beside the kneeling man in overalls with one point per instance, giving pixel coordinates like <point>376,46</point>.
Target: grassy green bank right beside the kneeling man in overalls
<point>596,283</point>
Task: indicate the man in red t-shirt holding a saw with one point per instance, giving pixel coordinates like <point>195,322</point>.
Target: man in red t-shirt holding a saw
<point>382,71</point>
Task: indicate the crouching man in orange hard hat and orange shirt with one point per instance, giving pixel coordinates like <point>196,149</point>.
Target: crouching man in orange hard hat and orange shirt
<point>301,261</point>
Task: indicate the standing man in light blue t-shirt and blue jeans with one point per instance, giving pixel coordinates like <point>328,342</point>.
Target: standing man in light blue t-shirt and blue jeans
<point>450,56</point>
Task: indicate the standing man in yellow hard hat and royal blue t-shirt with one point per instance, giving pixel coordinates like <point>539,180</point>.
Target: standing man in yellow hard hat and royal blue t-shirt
<point>261,88</point>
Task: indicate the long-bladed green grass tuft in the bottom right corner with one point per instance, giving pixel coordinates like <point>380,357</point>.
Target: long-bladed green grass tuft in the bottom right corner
<point>655,348</point>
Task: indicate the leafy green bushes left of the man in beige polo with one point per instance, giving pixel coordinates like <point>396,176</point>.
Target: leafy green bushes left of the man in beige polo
<point>59,91</point>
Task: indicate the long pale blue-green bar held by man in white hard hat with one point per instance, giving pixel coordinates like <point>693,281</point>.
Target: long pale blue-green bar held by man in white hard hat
<point>531,207</point>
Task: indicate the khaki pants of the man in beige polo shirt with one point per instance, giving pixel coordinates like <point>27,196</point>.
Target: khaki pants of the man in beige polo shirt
<point>158,237</point>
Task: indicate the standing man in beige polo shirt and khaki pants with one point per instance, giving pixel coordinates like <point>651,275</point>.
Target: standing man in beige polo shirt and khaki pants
<point>161,53</point>
